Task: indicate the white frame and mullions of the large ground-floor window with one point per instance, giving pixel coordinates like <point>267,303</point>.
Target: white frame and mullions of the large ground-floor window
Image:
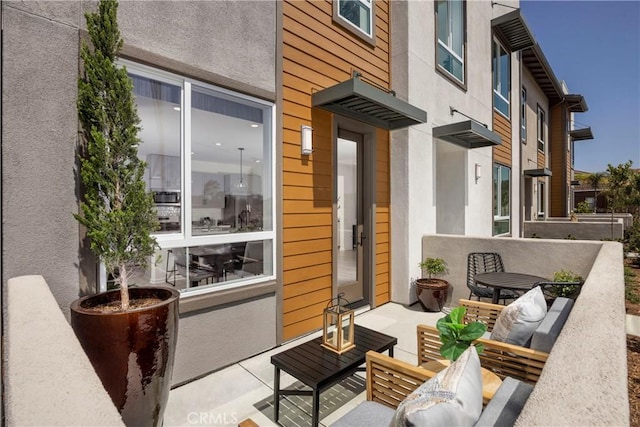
<point>185,238</point>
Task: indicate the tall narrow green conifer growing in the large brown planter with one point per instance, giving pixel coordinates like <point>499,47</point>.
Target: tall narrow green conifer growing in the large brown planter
<point>117,211</point>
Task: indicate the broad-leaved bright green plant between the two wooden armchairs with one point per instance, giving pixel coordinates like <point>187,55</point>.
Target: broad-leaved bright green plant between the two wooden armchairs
<point>456,336</point>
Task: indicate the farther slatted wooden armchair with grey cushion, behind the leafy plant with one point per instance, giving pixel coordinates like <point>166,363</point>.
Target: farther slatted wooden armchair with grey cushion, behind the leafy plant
<point>505,360</point>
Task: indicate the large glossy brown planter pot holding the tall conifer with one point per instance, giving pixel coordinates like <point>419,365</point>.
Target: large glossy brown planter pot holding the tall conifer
<point>132,352</point>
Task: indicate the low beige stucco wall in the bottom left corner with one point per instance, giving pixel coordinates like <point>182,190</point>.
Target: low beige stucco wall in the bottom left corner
<point>48,379</point>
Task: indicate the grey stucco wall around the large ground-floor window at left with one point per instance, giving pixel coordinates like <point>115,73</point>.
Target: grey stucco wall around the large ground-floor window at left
<point>231,44</point>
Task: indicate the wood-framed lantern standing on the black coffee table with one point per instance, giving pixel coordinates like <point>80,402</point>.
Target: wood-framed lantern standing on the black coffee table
<point>338,326</point>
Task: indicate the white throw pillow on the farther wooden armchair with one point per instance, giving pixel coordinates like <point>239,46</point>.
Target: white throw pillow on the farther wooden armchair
<point>518,321</point>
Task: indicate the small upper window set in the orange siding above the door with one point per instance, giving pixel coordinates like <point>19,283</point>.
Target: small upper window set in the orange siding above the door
<point>356,16</point>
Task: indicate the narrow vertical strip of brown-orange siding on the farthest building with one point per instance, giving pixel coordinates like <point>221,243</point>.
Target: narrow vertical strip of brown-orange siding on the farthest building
<point>558,163</point>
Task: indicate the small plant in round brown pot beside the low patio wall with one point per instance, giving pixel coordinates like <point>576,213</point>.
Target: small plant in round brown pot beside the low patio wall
<point>432,292</point>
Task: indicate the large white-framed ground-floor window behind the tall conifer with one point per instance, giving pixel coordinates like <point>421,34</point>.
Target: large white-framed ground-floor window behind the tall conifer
<point>209,154</point>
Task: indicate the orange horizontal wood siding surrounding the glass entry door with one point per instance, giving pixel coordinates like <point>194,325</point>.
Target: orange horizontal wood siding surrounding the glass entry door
<point>317,53</point>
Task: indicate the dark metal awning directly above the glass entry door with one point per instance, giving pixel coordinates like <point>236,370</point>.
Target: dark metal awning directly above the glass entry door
<point>361,101</point>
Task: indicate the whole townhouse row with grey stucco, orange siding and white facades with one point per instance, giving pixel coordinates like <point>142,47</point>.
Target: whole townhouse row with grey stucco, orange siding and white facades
<point>285,167</point>
